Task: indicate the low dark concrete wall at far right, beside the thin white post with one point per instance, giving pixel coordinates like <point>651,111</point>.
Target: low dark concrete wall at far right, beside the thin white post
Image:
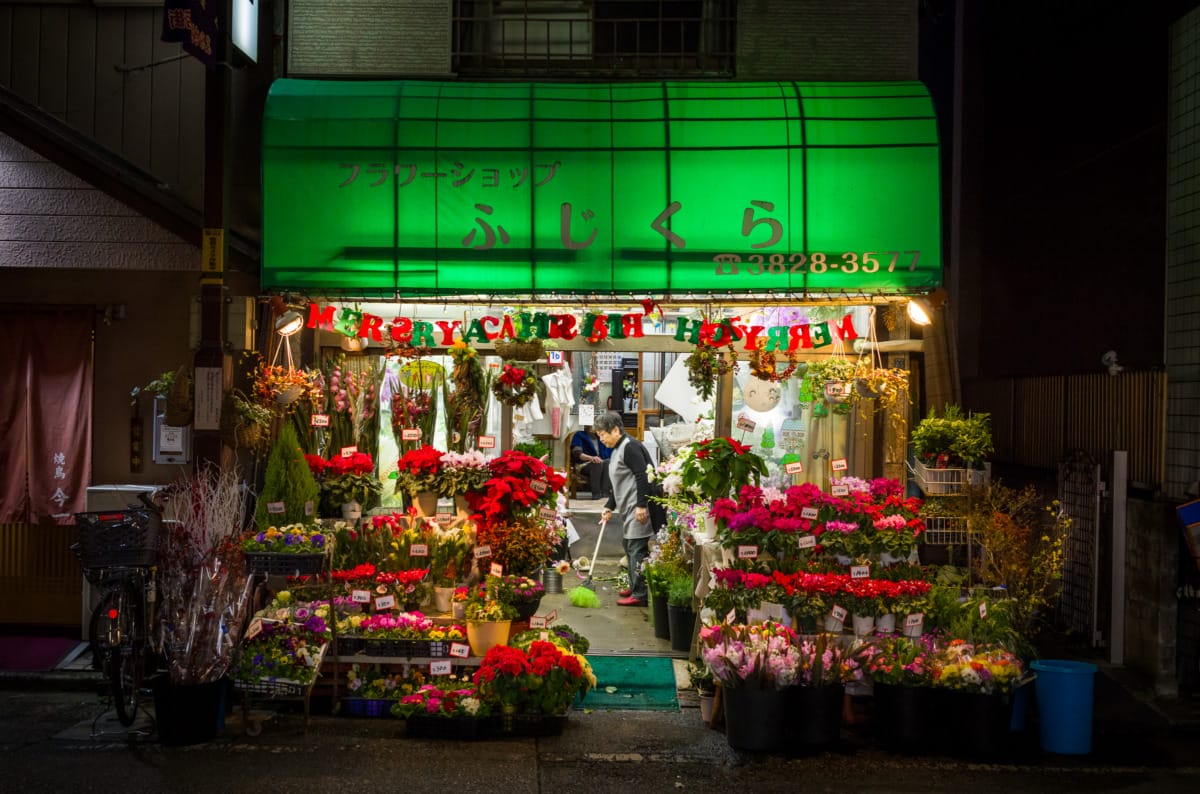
<point>1151,607</point>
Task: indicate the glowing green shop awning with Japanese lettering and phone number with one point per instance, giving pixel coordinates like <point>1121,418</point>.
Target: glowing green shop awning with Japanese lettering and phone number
<point>412,189</point>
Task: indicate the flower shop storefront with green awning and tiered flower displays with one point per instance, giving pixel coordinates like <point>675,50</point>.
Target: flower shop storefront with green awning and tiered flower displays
<point>481,260</point>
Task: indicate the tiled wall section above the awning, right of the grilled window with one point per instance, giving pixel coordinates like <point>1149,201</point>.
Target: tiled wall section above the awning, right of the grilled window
<point>812,40</point>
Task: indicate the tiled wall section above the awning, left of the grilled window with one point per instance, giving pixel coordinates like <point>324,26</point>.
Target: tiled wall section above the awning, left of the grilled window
<point>369,38</point>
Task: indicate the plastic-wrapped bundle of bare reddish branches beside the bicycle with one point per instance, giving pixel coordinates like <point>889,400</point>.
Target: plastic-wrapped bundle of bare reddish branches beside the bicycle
<point>205,591</point>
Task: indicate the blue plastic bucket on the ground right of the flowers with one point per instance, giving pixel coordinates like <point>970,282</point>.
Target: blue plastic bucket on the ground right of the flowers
<point>1065,693</point>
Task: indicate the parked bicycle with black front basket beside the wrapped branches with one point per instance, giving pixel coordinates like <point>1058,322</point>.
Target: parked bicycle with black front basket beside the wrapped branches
<point>119,551</point>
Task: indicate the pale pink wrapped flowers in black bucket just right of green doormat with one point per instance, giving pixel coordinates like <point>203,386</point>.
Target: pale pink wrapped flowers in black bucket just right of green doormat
<point>759,657</point>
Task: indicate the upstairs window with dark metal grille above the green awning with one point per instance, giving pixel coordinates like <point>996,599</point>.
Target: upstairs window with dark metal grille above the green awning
<point>604,39</point>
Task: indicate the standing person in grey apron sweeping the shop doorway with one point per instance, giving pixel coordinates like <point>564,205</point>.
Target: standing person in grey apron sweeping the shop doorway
<point>629,500</point>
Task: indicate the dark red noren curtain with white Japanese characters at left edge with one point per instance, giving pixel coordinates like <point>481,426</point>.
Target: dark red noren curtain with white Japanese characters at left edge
<point>46,401</point>
